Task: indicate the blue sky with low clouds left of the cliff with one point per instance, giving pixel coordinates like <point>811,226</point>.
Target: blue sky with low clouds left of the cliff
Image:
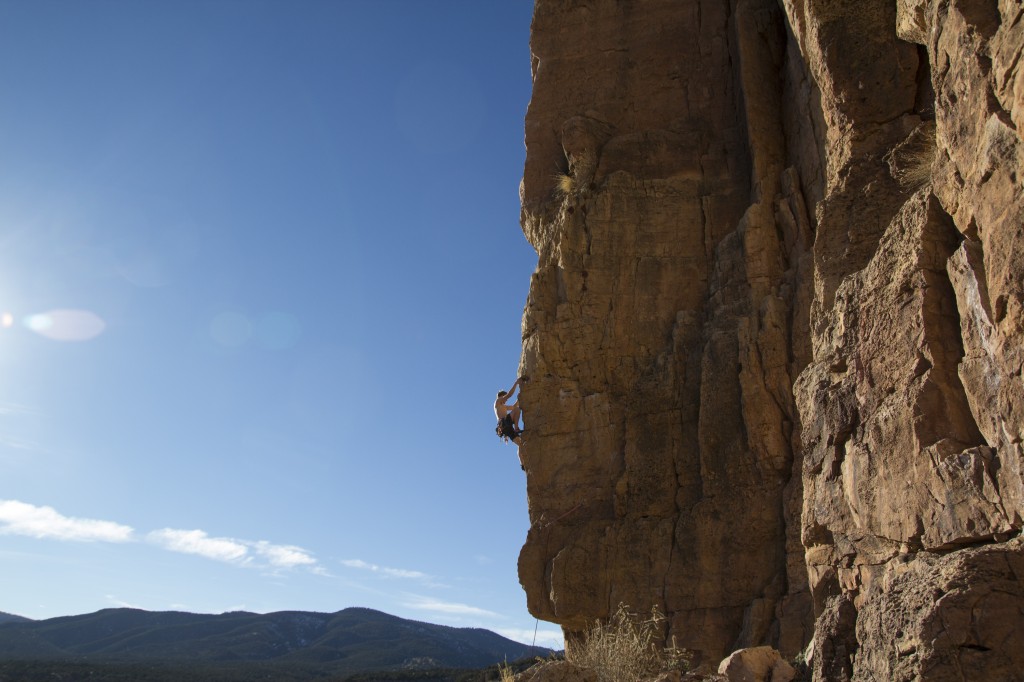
<point>261,277</point>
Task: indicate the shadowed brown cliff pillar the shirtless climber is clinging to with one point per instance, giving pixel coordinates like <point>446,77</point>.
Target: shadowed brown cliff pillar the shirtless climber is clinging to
<point>658,329</point>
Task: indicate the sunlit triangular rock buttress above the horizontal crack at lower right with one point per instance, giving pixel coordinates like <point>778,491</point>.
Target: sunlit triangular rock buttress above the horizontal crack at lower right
<point>886,380</point>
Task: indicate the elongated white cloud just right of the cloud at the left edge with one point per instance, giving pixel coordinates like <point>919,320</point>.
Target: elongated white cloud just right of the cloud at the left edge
<point>231,550</point>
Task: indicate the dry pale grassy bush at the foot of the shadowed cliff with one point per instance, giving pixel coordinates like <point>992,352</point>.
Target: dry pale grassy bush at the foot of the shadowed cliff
<point>627,649</point>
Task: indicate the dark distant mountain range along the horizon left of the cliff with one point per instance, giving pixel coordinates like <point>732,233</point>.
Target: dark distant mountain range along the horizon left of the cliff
<point>354,641</point>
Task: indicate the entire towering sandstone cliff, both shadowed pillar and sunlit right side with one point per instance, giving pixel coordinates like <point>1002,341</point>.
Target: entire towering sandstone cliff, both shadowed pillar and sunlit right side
<point>776,331</point>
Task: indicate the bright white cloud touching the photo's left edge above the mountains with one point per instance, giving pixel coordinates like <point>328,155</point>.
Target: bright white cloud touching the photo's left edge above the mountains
<point>21,519</point>
